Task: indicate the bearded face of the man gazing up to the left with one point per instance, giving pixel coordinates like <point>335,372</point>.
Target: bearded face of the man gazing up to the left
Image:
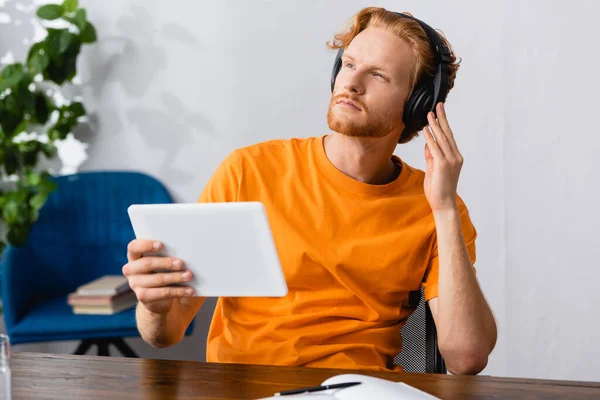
<point>372,85</point>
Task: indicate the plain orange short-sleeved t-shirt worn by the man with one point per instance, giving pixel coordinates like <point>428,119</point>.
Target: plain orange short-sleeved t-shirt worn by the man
<point>351,252</point>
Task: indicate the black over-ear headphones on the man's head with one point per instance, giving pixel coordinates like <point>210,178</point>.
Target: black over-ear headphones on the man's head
<point>428,92</point>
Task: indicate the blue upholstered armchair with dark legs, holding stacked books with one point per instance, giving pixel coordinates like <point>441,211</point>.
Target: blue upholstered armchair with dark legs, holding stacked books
<point>82,233</point>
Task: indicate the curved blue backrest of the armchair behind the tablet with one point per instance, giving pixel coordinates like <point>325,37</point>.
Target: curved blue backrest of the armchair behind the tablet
<point>83,229</point>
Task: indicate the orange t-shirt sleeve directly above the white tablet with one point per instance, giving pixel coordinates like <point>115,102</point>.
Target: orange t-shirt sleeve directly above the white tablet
<point>224,184</point>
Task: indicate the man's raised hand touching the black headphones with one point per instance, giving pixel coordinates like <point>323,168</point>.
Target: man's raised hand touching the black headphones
<point>444,162</point>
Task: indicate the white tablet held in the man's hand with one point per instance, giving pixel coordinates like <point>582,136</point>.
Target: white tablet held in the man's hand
<point>228,246</point>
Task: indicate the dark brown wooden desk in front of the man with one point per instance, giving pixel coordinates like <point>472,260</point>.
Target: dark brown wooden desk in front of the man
<point>49,376</point>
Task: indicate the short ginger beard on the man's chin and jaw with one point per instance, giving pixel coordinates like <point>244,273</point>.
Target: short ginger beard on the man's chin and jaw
<point>369,125</point>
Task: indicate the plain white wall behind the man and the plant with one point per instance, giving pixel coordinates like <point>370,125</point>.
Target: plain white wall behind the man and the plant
<point>176,85</point>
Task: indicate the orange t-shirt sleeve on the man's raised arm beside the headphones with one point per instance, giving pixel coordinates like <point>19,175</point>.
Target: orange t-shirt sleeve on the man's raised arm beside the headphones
<point>430,282</point>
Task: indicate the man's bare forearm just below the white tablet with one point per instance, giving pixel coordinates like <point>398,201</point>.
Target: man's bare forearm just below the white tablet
<point>163,330</point>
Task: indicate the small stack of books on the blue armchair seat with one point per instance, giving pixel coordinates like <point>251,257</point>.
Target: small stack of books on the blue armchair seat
<point>106,295</point>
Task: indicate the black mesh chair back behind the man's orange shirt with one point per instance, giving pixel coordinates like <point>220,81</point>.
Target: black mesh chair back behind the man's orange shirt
<point>420,351</point>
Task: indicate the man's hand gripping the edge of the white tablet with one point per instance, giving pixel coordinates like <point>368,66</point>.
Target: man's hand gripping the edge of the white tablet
<point>152,278</point>
